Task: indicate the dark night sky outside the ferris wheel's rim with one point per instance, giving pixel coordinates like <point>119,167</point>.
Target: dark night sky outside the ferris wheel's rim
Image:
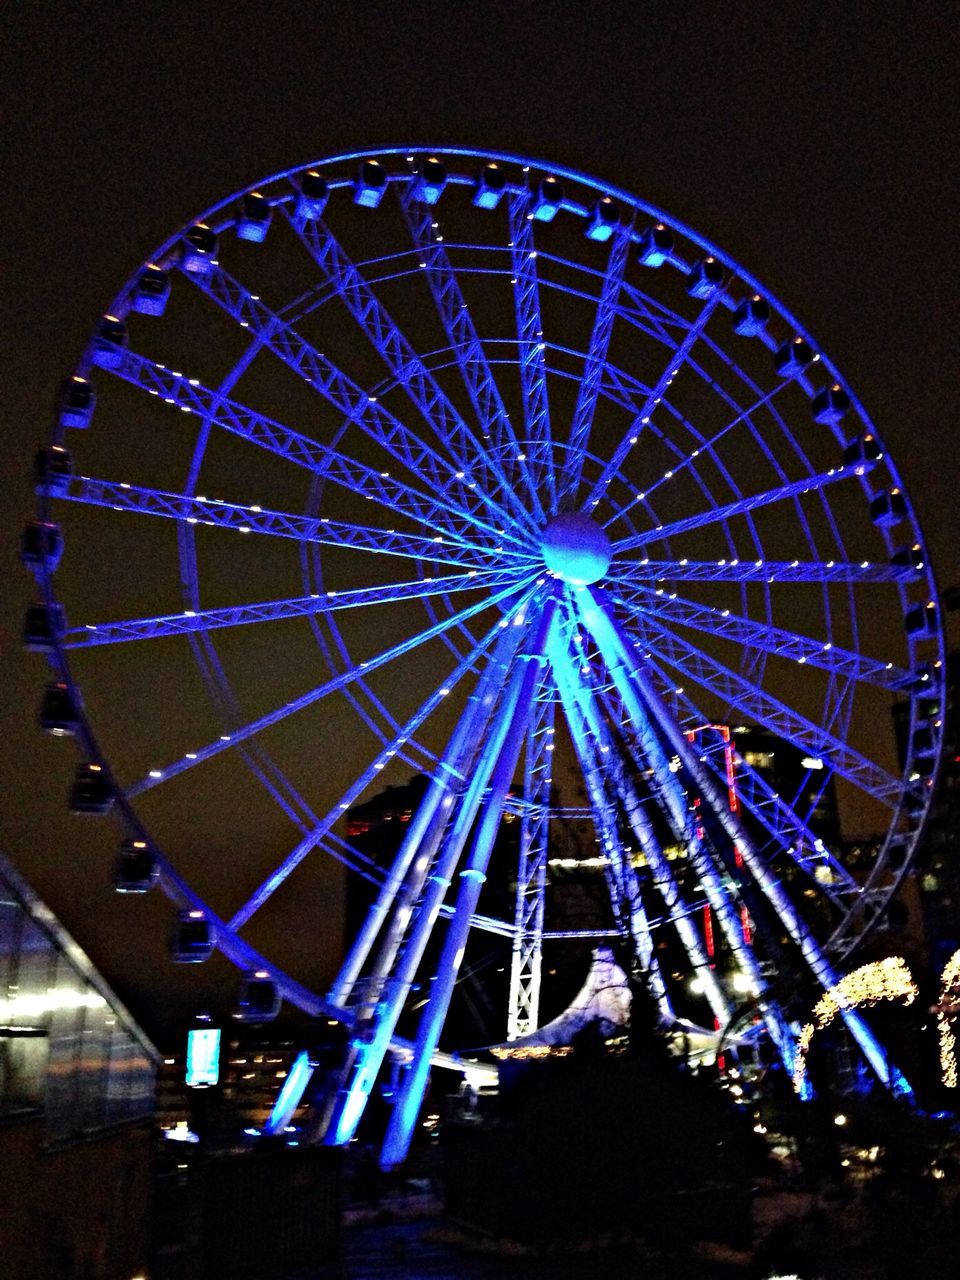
<point>817,145</point>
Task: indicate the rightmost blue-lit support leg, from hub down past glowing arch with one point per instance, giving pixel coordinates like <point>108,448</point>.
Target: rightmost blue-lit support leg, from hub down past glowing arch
<point>610,637</point>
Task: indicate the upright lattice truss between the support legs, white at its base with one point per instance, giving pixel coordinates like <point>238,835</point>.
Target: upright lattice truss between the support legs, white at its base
<point>527,959</point>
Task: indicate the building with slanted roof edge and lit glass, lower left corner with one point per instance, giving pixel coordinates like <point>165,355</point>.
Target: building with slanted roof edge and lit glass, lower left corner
<point>77,1084</point>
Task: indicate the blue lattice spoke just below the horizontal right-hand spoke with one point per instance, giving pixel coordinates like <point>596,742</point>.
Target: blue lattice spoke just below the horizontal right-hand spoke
<point>660,604</point>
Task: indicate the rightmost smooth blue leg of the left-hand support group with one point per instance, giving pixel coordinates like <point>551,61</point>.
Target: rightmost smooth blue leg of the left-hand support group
<point>406,1110</point>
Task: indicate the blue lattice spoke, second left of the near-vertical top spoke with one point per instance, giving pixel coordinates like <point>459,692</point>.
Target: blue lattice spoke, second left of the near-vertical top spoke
<point>408,368</point>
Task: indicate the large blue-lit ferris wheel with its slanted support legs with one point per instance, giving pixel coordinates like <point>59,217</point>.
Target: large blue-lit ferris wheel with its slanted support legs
<point>468,465</point>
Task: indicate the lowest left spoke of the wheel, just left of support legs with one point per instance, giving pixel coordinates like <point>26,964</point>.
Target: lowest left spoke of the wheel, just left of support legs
<point>445,774</point>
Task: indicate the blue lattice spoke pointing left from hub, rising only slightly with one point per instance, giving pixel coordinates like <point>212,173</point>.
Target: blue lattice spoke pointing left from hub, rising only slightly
<point>441,550</point>
